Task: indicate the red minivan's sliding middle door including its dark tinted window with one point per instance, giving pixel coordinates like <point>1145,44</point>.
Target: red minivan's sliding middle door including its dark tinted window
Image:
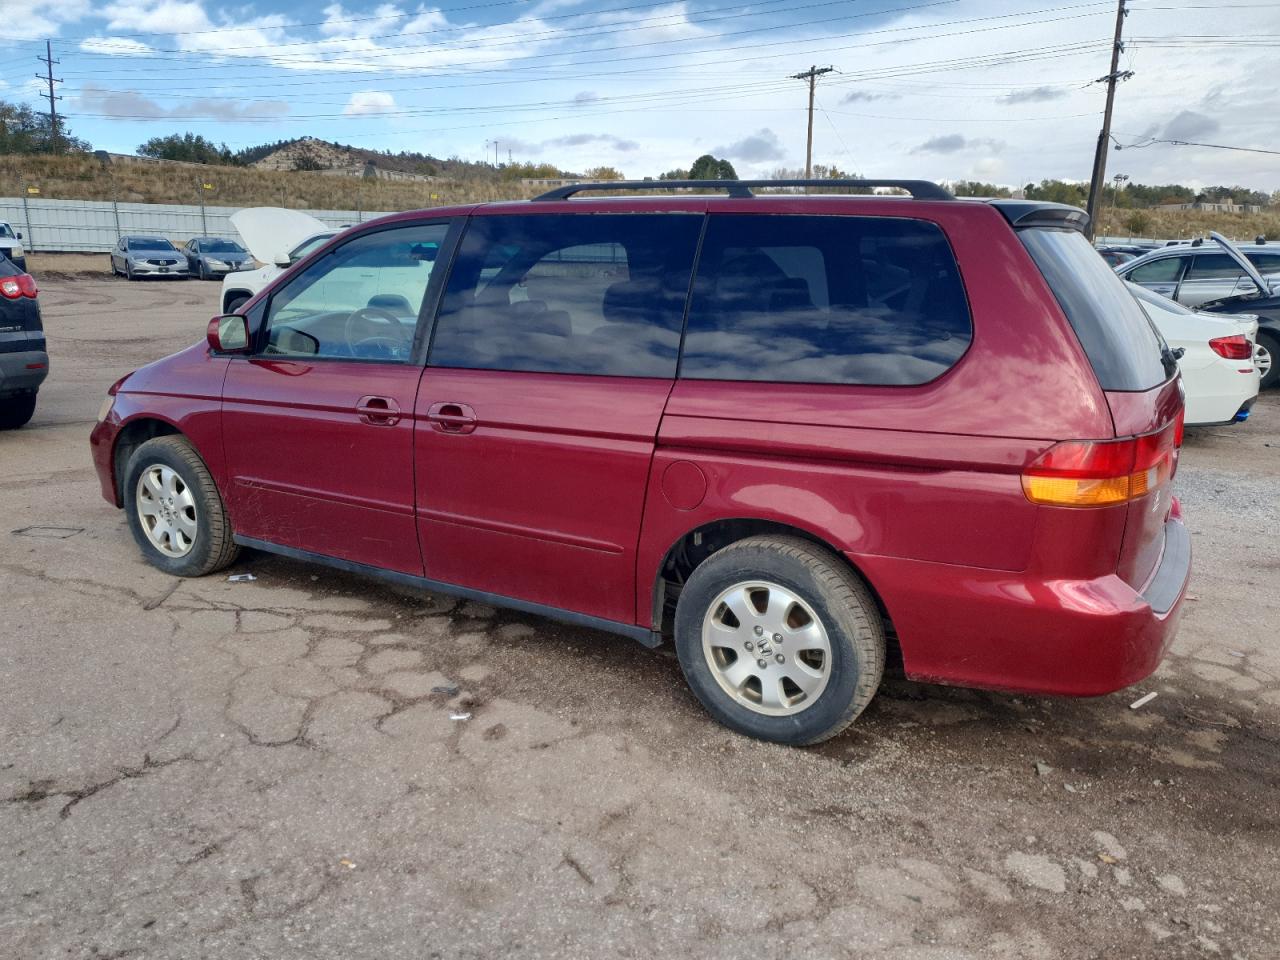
<point>552,360</point>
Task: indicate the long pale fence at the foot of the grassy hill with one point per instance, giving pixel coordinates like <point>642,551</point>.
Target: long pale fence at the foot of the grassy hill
<point>95,226</point>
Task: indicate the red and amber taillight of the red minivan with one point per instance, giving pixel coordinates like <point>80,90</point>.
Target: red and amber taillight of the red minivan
<point>1103,473</point>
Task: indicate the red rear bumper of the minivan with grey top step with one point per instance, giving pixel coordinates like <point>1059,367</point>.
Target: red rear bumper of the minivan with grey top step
<point>1011,632</point>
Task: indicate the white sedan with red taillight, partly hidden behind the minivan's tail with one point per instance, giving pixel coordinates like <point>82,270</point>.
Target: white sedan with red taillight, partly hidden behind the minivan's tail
<point>1217,359</point>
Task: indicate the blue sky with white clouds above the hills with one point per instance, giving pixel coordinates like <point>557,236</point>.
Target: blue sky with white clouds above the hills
<point>940,89</point>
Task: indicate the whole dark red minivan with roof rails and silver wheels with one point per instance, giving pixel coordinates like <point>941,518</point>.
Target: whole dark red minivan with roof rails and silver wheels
<point>775,428</point>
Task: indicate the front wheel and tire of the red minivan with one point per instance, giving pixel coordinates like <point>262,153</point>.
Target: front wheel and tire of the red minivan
<point>175,510</point>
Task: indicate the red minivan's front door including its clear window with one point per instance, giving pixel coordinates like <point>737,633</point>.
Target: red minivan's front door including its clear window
<point>319,423</point>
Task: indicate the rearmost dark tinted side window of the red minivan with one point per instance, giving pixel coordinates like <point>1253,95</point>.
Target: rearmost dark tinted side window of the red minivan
<point>826,300</point>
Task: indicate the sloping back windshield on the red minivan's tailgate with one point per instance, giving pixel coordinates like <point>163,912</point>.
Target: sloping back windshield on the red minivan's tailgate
<point>1122,345</point>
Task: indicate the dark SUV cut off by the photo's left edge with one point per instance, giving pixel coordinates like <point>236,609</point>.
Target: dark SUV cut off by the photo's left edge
<point>24,359</point>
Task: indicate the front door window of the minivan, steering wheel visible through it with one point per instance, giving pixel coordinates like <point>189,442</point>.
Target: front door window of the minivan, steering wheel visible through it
<point>362,301</point>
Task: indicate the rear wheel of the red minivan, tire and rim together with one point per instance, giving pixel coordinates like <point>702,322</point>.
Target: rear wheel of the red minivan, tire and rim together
<point>780,641</point>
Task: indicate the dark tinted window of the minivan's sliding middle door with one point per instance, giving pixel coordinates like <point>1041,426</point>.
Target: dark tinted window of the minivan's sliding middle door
<point>601,294</point>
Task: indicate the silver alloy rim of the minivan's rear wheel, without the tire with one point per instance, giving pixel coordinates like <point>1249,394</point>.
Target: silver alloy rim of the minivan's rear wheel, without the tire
<point>767,648</point>
